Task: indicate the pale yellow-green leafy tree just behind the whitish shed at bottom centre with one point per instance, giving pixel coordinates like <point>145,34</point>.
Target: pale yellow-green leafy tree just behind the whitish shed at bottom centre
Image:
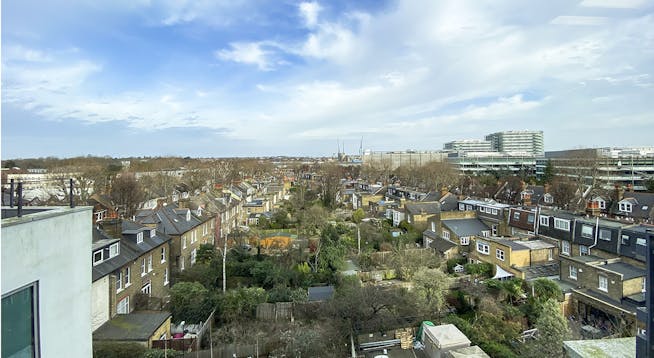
<point>431,285</point>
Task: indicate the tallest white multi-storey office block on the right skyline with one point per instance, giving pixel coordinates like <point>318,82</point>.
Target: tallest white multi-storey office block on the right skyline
<point>519,142</point>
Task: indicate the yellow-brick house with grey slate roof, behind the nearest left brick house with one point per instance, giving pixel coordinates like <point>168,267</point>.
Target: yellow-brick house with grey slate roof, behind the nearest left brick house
<point>187,229</point>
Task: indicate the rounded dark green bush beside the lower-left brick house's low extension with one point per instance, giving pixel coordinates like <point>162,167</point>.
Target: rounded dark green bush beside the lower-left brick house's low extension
<point>190,302</point>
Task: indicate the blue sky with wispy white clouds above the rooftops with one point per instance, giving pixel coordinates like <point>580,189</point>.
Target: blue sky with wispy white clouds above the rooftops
<point>262,78</point>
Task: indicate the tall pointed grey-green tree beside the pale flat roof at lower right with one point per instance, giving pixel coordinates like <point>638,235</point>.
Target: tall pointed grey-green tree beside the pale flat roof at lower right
<point>552,330</point>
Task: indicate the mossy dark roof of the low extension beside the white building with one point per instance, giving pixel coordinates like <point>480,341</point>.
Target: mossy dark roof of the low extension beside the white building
<point>136,326</point>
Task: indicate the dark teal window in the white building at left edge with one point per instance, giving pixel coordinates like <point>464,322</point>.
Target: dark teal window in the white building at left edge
<point>20,331</point>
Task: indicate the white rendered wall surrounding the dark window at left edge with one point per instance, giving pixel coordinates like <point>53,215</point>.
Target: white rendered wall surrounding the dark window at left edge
<point>53,248</point>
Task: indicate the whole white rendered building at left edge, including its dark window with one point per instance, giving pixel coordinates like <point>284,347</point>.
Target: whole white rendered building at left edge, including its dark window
<point>46,282</point>
